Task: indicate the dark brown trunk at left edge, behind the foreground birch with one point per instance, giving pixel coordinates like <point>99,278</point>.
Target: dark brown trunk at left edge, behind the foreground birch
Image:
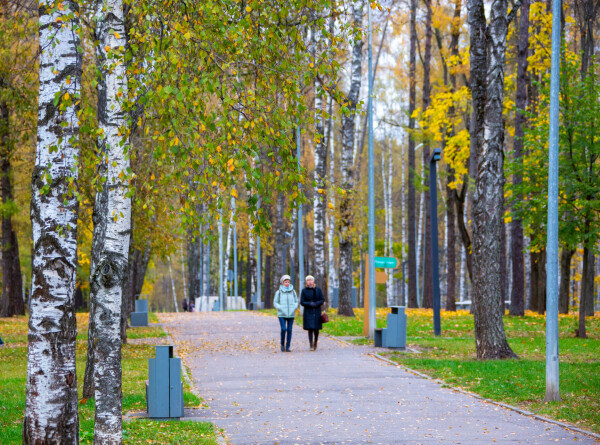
<point>12,280</point>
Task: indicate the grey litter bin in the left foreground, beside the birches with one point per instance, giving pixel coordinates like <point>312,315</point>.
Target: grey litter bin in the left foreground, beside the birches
<point>164,389</point>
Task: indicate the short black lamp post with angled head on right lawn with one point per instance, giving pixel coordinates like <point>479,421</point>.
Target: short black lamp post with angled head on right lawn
<point>435,273</point>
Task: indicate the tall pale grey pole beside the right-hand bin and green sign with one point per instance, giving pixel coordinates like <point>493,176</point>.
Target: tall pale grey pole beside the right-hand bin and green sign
<point>371,284</point>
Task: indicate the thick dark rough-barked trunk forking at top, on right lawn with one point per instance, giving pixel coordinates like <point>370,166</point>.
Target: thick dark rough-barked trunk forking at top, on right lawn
<point>487,87</point>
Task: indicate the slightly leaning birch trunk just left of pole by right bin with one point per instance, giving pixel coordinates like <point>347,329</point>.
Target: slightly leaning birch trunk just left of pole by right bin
<point>345,223</point>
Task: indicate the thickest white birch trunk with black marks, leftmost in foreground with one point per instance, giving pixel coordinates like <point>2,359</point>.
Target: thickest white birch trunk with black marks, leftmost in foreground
<point>51,392</point>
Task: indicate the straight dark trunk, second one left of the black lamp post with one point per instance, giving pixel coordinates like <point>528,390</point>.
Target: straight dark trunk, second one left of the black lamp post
<point>411,201</point>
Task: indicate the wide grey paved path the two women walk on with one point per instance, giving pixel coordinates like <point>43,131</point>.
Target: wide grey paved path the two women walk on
<point>336,395</point>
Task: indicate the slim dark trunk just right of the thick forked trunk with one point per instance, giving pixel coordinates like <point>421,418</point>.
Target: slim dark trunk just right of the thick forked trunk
<point>517,299</point>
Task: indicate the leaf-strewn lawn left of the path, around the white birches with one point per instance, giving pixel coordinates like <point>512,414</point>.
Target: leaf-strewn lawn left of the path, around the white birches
<point>13,370</point>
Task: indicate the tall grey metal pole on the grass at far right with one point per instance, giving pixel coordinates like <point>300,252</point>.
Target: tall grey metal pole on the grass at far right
<point>552,358</point>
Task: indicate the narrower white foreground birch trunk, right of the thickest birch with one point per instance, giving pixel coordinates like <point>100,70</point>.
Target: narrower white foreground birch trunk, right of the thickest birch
<point>113,207</point>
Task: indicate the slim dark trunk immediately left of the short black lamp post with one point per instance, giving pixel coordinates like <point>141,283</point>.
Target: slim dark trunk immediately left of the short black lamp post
<point>428,271</point>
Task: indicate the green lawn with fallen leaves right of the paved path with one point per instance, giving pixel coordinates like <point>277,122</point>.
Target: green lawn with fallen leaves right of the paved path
<point>521,383</point>
